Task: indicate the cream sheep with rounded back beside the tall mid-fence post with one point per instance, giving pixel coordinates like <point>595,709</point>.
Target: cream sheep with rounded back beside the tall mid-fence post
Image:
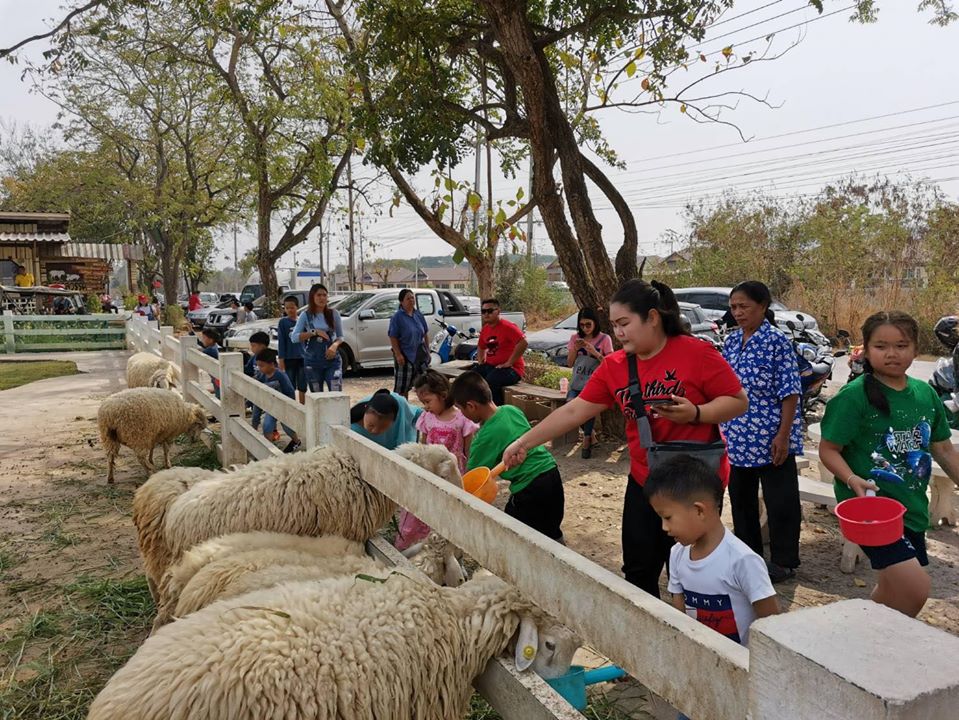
<point>318,492</point>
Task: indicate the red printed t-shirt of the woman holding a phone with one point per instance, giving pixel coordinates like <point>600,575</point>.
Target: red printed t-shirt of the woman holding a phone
<point>686,366</point>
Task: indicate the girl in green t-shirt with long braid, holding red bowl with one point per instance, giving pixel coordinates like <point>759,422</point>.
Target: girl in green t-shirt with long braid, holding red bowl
<point>887,427</point>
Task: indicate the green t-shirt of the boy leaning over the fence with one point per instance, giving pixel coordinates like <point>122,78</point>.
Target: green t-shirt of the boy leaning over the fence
<point>493,437</point>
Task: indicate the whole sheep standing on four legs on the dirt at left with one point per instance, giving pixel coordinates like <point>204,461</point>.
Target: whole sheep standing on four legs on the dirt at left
<point>142,418</point>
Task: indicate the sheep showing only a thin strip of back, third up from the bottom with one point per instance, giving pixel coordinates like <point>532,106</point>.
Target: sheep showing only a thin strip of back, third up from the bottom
<point>197,558</point>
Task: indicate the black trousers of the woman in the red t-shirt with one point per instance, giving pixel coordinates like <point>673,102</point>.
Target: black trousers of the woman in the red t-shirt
<point>646,545</point>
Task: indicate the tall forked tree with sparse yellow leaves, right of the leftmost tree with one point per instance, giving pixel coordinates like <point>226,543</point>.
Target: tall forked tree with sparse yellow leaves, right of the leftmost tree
<point>272,59</point>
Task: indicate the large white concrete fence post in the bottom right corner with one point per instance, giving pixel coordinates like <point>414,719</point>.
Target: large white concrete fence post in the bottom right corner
<point>851,659</point>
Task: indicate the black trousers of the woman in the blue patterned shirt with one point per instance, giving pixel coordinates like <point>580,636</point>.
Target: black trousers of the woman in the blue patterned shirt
<point>780,485</point>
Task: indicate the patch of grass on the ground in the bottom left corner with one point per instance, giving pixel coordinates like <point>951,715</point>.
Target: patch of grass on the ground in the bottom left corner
<point>59,658</point>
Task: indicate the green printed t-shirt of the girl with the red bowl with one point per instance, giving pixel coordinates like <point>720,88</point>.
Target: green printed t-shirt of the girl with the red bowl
<point>893,450</point>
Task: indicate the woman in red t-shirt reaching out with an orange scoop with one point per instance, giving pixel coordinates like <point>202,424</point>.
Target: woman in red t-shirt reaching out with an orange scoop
<point>673,366</point>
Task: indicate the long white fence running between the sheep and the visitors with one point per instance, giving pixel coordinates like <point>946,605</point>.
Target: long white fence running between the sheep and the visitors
<point>699,671</point>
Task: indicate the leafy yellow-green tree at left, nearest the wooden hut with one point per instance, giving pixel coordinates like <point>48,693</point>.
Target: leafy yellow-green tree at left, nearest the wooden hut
<point>167,132</point>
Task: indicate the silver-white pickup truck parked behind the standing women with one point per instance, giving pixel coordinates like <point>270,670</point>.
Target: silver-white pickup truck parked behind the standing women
<point>366,319</point>
